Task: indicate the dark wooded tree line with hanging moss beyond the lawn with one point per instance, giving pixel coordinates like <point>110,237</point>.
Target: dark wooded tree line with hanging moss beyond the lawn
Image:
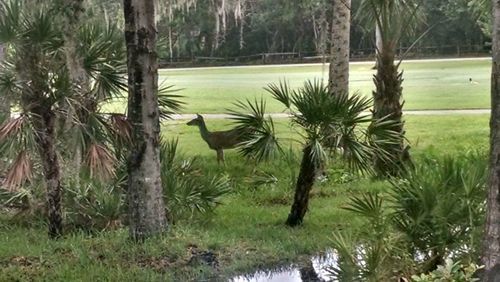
<point>229,28</point>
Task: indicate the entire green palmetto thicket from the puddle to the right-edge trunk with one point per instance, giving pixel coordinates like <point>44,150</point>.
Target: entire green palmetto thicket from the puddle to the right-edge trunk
<point>434,213</point>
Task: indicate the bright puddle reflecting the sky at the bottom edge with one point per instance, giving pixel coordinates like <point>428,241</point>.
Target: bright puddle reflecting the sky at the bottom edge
<point>311,271</point>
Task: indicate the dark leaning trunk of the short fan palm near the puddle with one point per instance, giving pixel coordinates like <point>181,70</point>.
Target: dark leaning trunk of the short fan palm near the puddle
<point>305,181</point>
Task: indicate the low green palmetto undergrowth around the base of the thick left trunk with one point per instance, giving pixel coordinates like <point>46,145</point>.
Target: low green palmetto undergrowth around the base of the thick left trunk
<point>94,204</point>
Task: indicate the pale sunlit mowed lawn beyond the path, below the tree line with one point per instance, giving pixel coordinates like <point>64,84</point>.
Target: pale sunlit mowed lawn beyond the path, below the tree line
<point>427,84</point>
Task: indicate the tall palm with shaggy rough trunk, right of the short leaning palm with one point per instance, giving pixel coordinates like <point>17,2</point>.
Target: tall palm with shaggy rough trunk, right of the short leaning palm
<point>393,19</point>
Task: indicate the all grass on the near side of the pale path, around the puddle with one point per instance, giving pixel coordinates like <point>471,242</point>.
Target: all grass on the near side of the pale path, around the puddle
<point>245,233</point>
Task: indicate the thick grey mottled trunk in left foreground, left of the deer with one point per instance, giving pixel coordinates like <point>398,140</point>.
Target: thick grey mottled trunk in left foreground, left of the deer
<point>145,199</point>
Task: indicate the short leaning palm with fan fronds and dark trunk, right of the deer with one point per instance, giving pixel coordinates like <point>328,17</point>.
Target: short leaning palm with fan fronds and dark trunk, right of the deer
<point>331,125</point>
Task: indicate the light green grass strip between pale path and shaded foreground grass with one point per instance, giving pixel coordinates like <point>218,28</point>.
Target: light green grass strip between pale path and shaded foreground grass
<point>427,135</point>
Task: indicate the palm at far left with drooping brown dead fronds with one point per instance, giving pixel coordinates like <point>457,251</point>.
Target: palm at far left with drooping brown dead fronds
<point>35,75</point>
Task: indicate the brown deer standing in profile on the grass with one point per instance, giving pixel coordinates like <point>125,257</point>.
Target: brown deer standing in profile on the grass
<point>217,140</point>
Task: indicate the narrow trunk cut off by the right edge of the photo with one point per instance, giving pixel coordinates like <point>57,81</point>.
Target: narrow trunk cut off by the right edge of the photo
<point>491,252</point>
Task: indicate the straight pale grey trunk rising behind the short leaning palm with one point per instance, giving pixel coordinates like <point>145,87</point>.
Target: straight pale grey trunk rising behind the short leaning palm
<point>338,81</point>
